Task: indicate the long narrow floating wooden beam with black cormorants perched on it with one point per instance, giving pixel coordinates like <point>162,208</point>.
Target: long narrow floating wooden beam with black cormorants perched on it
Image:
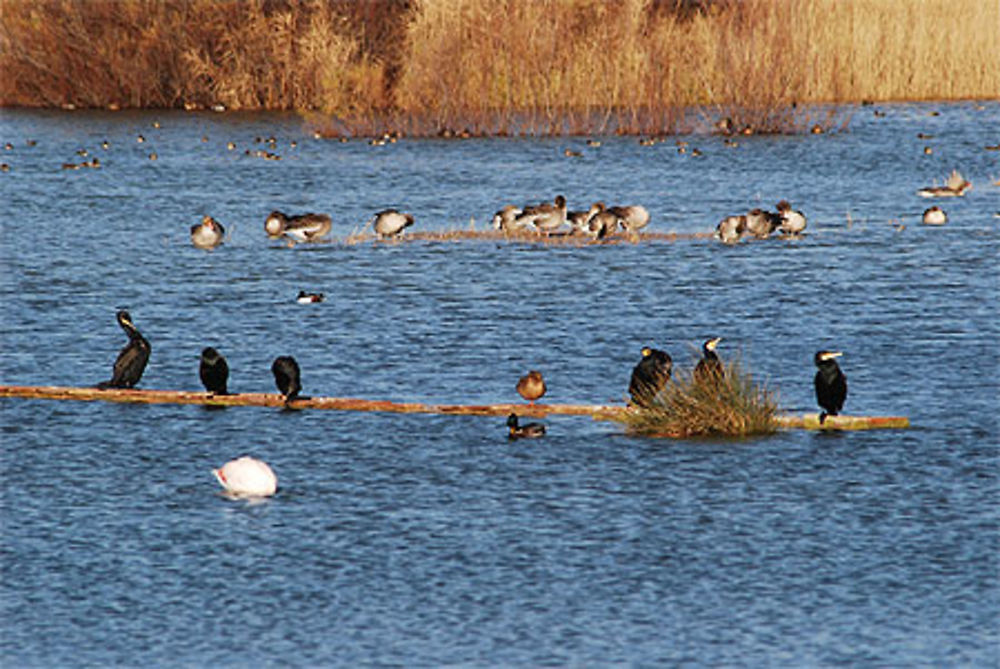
<point>596,411</point>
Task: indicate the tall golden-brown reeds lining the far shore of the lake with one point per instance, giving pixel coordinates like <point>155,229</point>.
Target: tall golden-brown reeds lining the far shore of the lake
<point>500,66</point>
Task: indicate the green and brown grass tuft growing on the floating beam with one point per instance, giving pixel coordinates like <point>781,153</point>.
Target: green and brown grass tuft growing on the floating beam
<point>732,406</point>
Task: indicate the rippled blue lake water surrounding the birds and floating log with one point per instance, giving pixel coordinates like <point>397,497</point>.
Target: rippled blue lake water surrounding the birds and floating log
<point>432,540</point>
